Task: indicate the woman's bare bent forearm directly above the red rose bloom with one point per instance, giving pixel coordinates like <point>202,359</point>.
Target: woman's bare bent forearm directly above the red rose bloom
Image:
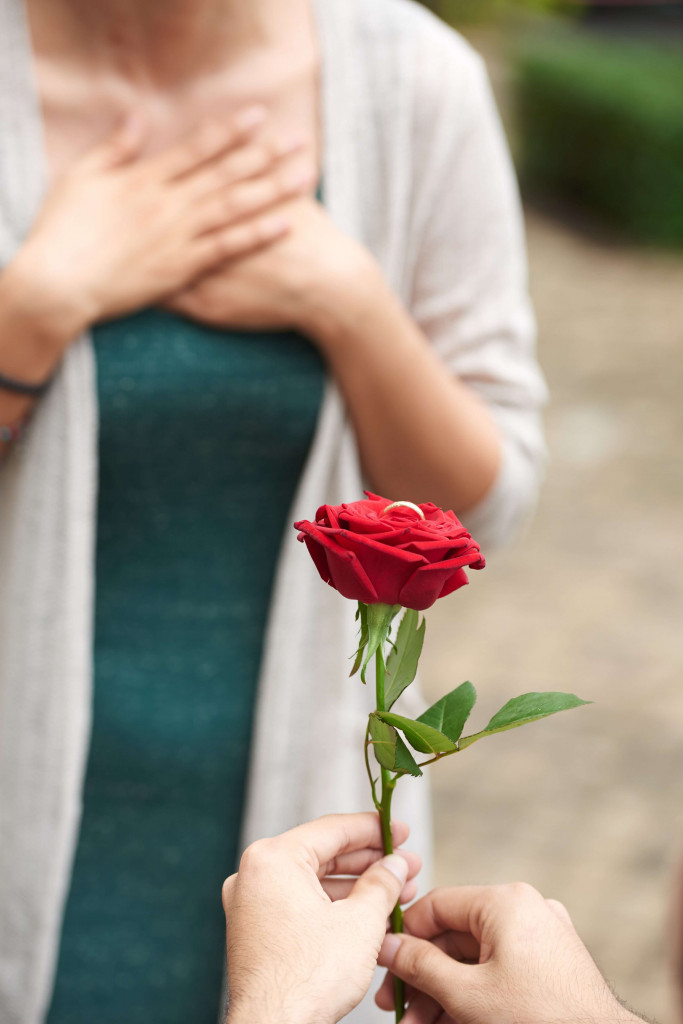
<point>422,435</point>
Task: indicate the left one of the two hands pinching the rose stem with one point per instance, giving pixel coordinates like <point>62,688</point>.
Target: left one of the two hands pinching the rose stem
<point>304,941</point>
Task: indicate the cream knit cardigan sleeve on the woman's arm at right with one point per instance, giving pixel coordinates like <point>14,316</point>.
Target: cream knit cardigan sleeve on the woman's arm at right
<point>469,278</point>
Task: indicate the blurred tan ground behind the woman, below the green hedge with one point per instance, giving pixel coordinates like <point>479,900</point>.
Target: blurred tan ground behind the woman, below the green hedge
<point>587,806</point>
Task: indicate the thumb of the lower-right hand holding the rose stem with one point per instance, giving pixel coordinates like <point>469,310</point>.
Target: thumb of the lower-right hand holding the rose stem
<point>424,967</point>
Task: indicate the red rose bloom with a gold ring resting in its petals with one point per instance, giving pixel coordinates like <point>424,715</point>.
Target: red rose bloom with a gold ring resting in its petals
<point>377,551</point>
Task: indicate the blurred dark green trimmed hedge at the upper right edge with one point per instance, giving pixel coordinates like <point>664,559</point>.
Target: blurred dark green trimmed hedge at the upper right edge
<point>601,122</point>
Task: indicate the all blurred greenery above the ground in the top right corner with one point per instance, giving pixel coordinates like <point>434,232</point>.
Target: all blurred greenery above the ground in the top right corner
<point>596,106</point>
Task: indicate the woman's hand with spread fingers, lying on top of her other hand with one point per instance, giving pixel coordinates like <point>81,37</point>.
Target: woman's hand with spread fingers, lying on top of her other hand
<point>118,232</point>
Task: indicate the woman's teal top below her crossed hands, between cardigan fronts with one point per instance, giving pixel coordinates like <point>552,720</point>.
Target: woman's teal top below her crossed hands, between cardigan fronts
<point>204,435</point>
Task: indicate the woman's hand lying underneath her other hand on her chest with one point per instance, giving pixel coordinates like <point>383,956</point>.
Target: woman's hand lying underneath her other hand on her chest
<point>295,284</point>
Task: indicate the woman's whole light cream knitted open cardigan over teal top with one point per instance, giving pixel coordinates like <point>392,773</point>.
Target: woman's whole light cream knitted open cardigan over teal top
<point>416,167</point>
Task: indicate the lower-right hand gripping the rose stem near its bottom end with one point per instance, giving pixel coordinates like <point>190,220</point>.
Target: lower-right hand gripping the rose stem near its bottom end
<point>496,956</point>
